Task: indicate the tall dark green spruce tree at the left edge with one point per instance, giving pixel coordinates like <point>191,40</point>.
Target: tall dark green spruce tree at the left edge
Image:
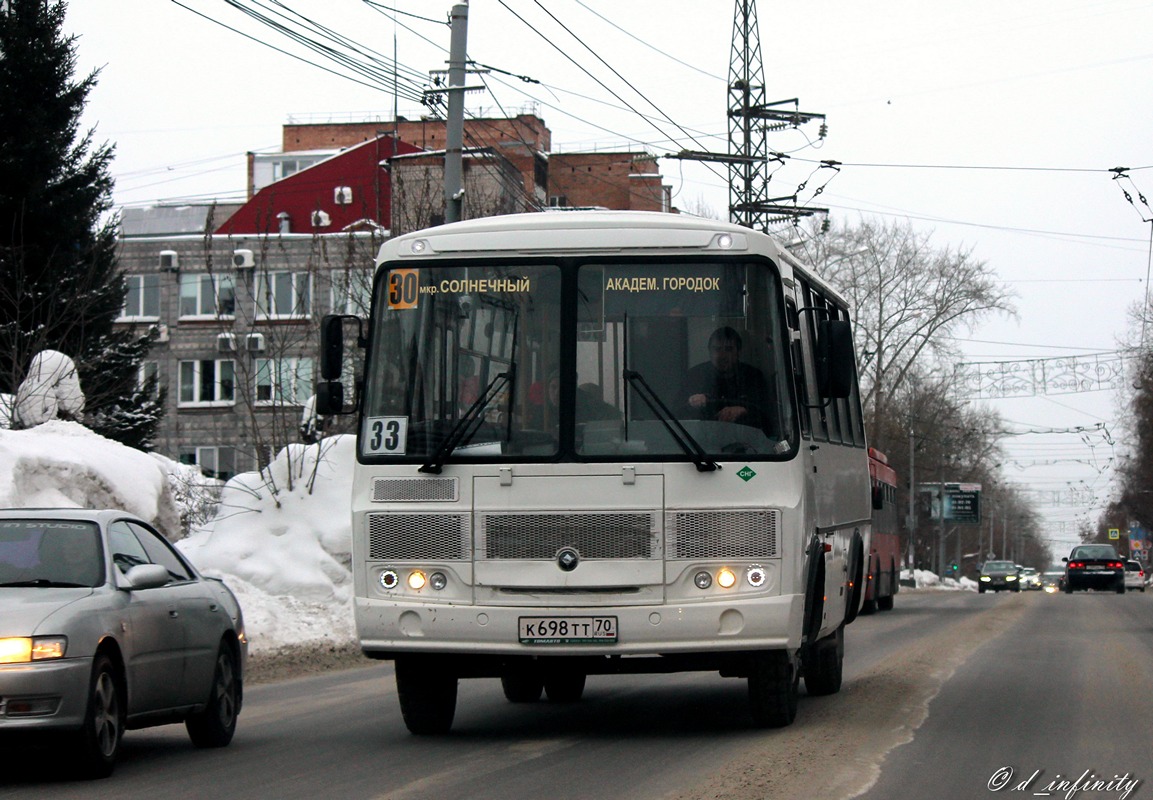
<point>61,285</point>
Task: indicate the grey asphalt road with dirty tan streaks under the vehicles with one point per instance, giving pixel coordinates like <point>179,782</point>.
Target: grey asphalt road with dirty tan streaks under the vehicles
<point>941,696</point>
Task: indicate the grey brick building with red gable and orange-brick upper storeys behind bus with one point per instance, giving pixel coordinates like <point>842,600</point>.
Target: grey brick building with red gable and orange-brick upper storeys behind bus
<point>233,293</point>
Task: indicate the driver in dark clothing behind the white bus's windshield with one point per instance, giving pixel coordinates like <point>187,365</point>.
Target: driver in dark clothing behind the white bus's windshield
<point>727,389</point>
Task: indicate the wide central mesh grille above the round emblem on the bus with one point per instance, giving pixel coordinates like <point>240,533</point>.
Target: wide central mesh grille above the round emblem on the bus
<point>593,535</point>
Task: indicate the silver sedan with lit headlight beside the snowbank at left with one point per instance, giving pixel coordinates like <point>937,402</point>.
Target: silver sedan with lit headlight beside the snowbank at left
<point>107,628</point>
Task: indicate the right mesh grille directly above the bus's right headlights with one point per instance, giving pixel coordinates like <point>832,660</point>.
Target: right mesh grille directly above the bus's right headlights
<point>722,534</point>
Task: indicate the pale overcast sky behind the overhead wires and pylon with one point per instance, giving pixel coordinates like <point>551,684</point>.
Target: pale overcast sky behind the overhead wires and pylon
<point>992,125</point>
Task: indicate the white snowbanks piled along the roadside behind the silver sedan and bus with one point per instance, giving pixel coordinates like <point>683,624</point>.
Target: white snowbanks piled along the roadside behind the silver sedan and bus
<point>281,540</point>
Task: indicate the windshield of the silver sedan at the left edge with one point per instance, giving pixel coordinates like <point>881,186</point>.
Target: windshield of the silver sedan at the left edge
<point>50,554</point>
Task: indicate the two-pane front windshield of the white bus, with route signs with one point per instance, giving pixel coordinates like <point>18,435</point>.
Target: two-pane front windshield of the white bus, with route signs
<point>599,360</point>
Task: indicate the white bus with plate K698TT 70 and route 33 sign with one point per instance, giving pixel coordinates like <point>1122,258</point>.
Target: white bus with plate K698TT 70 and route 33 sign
<point>602,443</point>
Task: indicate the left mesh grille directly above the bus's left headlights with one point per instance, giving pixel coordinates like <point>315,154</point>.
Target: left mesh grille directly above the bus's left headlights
<point>419,538</point>
